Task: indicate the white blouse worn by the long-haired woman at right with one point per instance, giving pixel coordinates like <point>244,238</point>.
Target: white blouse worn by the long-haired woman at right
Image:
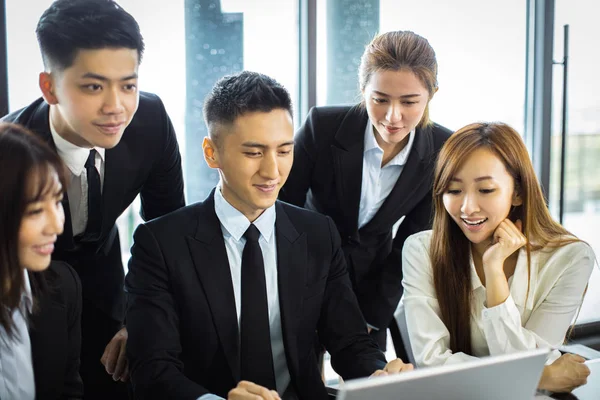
<point>525,321</point>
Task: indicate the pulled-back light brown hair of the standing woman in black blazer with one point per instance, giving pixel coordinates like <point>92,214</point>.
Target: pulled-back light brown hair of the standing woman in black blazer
<point>399,51</point>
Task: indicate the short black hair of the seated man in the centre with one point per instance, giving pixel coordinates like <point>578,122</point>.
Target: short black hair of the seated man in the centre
<point>244,92</point>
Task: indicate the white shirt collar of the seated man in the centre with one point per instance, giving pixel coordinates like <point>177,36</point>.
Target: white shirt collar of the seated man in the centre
<point>236,223</point>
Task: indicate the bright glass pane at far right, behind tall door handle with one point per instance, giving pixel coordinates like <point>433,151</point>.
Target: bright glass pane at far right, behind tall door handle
<point>582,174</point>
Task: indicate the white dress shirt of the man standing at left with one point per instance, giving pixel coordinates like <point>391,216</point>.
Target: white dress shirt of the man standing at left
<point>75,157</point>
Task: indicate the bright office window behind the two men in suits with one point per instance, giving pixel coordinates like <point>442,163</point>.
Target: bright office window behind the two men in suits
<point>189,45</point>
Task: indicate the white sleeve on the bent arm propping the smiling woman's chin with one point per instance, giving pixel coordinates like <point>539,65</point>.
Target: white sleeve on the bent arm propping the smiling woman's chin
<point>548,323</point>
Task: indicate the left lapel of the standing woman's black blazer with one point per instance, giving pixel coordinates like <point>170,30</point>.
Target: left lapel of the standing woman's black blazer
<point>348,162</point>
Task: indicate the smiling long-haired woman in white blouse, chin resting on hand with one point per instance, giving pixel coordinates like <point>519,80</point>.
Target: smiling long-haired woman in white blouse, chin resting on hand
<point>496,274</point>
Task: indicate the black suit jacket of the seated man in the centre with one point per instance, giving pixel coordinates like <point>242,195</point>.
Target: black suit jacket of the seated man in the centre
<point>182,321</point>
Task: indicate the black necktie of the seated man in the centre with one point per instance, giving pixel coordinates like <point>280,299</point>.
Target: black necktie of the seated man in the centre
<point>255,342</point>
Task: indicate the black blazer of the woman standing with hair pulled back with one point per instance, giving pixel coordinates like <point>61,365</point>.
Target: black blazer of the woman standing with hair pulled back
<point>328,161</point>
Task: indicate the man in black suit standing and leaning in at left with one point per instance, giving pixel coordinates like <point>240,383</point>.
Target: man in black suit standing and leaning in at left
<point>116,143</point>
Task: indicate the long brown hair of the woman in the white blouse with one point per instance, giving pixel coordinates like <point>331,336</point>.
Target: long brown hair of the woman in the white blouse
<point>450,247</point>
